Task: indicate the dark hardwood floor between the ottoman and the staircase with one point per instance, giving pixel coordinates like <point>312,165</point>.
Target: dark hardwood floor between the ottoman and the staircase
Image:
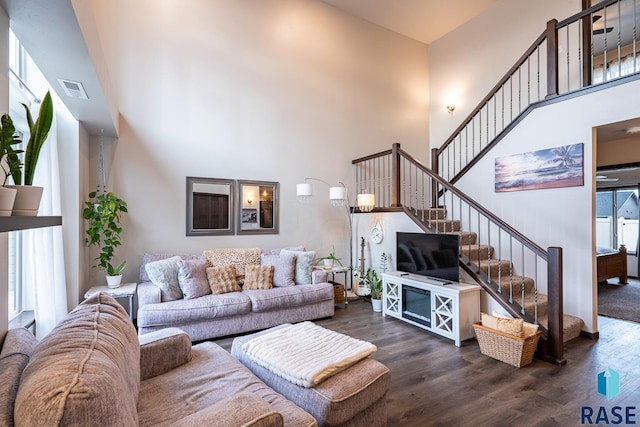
<point>435,383</point>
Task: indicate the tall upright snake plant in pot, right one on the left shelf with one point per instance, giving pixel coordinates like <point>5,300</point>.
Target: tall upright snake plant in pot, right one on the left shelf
<point>28,197</point>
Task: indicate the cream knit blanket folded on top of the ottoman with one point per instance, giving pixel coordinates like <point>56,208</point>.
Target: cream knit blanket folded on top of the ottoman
<point>305,353</point>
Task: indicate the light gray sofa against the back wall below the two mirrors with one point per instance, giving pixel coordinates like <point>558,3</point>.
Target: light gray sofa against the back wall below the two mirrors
<point>216,315</point>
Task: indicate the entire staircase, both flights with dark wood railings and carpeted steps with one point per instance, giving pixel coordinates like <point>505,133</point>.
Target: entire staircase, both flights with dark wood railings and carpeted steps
<point>511,268</point>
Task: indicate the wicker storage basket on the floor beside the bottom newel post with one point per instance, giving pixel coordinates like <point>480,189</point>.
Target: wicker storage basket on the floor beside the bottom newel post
<point>507,348</point>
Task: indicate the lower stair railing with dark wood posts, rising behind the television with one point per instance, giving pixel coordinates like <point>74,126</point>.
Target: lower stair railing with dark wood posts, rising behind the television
<point>400,182</point>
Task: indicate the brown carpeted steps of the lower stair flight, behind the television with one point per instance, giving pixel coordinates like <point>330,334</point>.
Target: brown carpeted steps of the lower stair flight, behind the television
<point>502,271</point>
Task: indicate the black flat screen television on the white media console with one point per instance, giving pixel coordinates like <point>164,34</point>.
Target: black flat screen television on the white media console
<point>431,255</point>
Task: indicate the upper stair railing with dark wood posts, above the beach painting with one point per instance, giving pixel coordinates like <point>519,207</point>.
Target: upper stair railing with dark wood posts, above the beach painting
<point>598,46</point>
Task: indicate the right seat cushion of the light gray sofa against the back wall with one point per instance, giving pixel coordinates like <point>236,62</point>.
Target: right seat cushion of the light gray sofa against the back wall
<point>291,296</point>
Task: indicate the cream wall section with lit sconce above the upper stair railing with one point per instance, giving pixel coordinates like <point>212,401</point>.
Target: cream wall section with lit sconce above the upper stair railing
<point>467,63</point>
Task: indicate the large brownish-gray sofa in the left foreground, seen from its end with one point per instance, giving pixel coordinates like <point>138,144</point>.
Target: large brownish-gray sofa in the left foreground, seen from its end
<point>93,370</point>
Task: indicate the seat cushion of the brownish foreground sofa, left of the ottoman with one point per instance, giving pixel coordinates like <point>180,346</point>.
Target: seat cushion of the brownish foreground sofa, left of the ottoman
<point>213,375</point>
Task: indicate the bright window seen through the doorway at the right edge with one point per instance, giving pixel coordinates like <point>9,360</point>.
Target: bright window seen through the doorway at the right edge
<point>617,218</point>
